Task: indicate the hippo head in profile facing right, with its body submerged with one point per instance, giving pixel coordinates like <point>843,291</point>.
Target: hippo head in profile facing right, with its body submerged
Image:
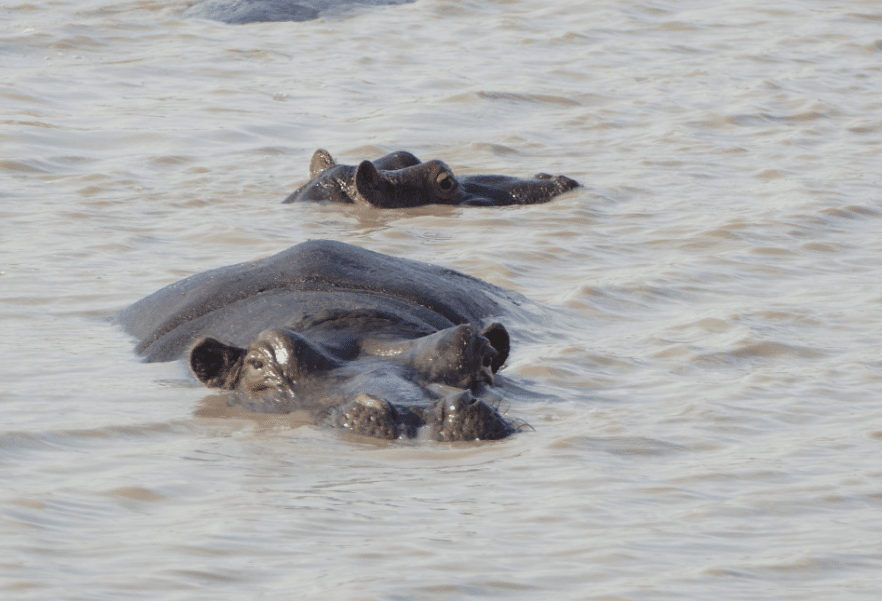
<point>401,180</point>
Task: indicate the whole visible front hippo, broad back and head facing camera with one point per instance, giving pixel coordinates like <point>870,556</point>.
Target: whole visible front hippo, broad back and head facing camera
<point>381,346</point>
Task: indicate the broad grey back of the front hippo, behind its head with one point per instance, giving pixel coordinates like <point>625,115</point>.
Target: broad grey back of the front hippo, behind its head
<point>309,281</point>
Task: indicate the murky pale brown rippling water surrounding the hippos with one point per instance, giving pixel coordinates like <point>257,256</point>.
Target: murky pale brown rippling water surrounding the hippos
<point>706,383</point>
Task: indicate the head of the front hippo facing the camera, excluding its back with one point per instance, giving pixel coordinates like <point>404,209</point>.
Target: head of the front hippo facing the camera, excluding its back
<point>440,382</point>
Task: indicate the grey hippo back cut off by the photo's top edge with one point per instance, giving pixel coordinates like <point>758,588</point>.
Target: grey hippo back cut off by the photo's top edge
<point>253,11</point>
